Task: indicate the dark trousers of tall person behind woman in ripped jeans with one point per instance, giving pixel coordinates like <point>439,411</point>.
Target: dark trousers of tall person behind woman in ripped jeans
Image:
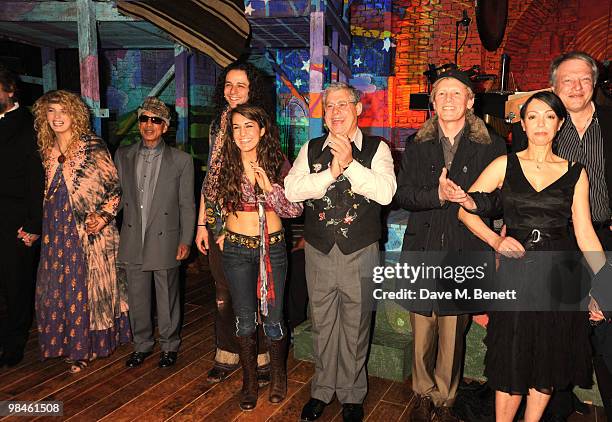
<point>224,313</point>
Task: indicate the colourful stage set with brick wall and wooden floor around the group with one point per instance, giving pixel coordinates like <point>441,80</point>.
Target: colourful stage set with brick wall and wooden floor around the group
<point>116,53</point>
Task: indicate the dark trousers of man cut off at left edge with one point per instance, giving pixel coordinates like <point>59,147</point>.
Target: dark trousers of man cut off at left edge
<point>17,287</point>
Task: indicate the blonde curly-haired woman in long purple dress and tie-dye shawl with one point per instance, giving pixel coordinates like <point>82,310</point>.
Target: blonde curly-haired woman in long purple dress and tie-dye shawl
<point>81,307</point>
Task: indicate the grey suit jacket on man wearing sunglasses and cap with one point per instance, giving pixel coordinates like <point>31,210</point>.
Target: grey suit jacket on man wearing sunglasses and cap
<point>171,219</point>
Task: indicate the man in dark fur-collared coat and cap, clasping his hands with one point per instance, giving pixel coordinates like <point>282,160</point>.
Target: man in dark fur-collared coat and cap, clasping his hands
<point>455,144</point>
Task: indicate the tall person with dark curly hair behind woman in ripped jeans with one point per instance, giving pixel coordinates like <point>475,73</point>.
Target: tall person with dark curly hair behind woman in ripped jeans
<point>239,83</point>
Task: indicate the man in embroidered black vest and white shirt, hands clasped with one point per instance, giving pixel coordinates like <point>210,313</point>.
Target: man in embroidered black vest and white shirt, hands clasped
<point>344,178</point>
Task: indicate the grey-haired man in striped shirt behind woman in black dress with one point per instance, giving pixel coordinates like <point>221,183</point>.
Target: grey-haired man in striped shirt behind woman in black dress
<point>586,137</point>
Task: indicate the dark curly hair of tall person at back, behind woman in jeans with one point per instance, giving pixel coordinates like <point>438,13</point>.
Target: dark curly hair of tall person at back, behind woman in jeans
<point>258,94</point>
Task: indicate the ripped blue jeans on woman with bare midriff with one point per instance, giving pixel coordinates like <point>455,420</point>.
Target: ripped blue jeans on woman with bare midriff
<point>241,268</point>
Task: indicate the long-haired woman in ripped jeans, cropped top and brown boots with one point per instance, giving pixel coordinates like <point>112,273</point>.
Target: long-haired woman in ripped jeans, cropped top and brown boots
<point>253,200</point>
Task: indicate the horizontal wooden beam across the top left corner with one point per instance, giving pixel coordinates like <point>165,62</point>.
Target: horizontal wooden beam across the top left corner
<point>57,11</point>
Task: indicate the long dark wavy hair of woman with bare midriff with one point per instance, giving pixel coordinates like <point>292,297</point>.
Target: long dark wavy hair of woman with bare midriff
<point>269,156</point>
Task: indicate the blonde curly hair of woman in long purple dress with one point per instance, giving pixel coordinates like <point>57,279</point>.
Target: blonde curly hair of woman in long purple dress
<point>74,106</point>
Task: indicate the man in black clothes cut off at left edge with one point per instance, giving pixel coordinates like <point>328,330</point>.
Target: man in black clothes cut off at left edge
<point>21,193</point>
